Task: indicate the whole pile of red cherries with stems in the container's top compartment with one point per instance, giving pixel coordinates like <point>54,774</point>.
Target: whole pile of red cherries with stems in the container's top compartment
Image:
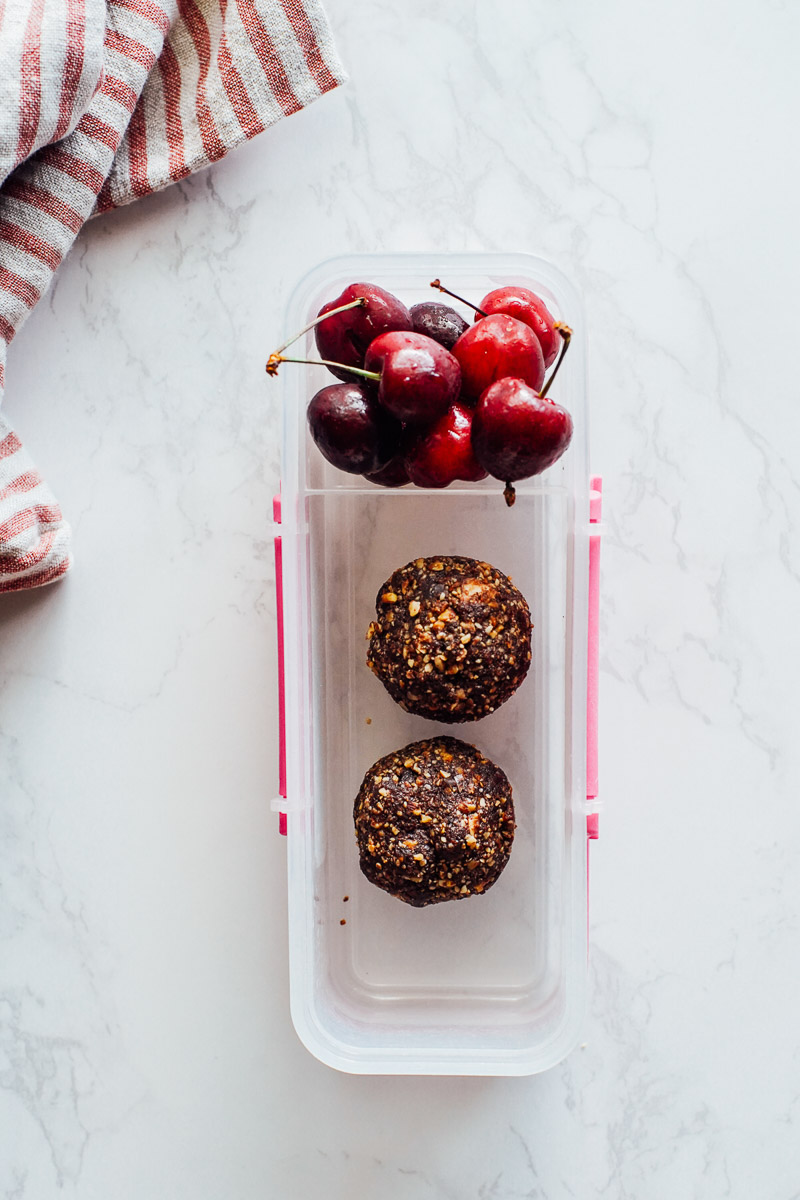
<point>428,399</point>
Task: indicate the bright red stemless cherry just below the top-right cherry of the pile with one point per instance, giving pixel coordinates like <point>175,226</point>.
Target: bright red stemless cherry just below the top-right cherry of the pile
<point>497,347</point>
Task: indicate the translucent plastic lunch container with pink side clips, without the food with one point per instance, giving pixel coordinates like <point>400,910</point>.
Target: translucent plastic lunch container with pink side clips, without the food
<point>492,985</point>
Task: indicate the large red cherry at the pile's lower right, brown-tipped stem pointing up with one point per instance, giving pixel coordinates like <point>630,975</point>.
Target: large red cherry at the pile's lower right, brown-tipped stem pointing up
<point>519,434</point>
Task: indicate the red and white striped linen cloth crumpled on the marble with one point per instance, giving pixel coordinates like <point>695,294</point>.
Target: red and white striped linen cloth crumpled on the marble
<point>101,104</point>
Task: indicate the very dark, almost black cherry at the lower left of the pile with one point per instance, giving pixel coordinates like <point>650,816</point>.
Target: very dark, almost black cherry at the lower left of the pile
<point>352,430</point>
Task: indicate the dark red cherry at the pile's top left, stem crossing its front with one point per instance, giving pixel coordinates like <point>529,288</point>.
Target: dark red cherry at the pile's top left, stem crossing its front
<point>346,337</point>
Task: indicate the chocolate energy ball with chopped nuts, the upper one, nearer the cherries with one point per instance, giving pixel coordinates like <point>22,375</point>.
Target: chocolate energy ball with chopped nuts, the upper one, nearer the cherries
<point>452,640</point>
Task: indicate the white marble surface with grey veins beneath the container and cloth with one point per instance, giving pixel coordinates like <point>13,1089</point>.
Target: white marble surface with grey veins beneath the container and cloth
<point>146,1043</point>
